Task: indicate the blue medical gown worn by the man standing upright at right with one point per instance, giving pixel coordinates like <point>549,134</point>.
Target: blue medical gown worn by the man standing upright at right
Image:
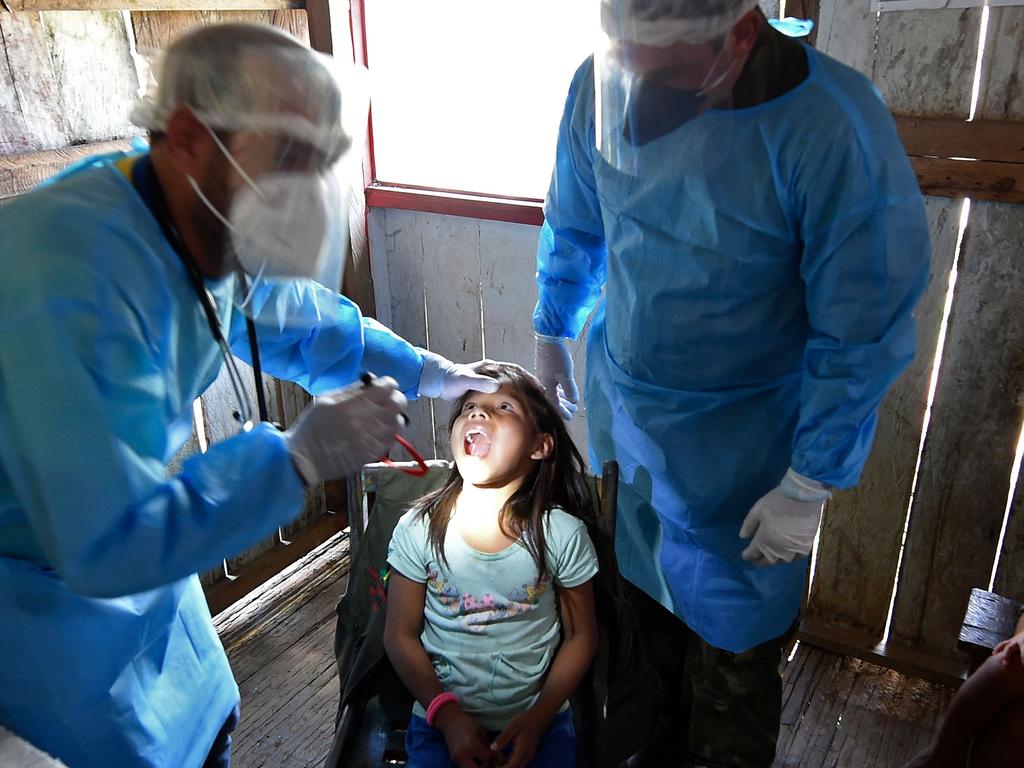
<point>760,274</point>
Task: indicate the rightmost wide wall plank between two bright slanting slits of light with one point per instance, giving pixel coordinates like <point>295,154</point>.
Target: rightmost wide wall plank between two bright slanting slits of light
<point>965,477</point>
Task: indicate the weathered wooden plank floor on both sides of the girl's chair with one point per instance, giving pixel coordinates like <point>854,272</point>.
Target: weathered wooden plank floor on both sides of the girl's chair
<point>838,712</point>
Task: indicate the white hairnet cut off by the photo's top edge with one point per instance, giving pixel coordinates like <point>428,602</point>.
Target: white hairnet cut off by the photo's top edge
<point>661,23</point>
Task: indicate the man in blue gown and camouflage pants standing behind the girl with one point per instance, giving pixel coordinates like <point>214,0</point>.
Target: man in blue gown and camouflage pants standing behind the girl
<point>746,207</point>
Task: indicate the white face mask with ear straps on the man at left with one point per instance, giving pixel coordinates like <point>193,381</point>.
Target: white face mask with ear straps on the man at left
<point>281,226</point>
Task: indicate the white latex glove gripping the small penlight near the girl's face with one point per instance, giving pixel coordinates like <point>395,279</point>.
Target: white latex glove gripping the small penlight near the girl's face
<point>344,431</point>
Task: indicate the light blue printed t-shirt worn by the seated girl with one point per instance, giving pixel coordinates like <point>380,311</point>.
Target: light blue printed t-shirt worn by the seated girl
<point>490,630</point>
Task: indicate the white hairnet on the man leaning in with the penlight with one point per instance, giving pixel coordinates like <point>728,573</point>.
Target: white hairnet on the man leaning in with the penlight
<point>254,78</point>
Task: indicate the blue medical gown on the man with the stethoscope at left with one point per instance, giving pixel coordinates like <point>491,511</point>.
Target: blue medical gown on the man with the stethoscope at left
<point>108,655</point>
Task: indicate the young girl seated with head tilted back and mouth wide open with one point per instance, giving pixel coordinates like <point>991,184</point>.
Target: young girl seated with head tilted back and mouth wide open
<point>491,612</point>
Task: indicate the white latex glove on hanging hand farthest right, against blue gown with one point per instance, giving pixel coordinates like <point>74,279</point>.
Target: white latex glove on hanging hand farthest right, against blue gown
<point>785,522</point>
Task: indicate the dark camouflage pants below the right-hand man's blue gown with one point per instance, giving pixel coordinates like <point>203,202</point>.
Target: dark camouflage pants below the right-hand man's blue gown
<point>721,710</point>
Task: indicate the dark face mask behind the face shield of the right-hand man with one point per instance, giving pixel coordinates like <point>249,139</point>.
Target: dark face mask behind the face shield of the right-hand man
<point>655,109</point>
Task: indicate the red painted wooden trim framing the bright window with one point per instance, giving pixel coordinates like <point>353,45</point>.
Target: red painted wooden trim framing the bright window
<point>408,198</point>
